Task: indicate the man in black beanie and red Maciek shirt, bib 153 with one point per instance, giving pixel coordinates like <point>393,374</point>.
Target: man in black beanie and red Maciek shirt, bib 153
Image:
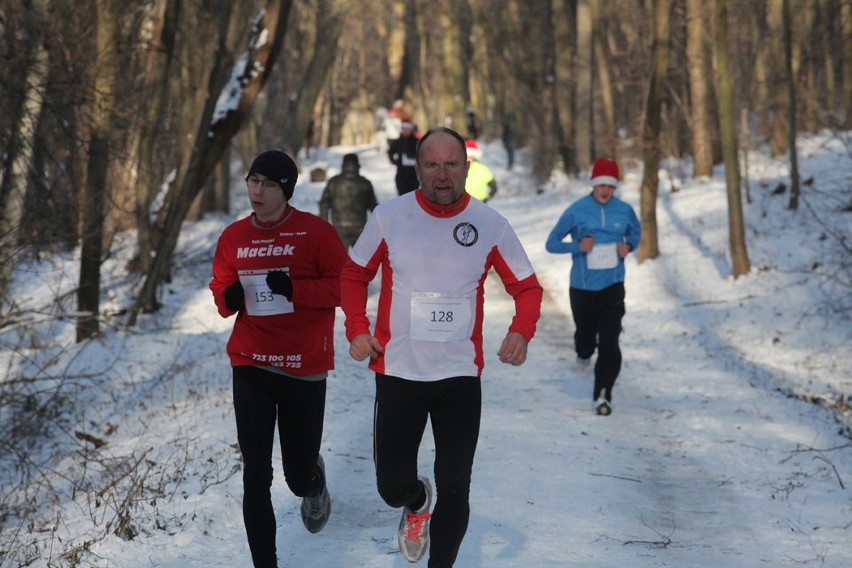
<point>278,270</point>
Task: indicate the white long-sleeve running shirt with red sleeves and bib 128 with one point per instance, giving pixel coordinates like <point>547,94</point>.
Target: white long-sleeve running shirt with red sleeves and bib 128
<point>434,260</point>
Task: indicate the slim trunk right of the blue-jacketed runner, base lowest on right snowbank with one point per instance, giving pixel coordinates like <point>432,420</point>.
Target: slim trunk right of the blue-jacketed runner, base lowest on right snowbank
<point>736,225</point>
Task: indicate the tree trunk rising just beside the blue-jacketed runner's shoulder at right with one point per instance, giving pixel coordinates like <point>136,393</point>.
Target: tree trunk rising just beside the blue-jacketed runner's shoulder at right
<point>648,245</point>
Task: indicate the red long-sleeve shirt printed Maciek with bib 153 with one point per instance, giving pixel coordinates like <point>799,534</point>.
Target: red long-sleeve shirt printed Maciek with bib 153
<point>293,335</point>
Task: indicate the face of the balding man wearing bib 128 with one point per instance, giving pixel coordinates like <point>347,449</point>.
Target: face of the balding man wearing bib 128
<point>442,168</point>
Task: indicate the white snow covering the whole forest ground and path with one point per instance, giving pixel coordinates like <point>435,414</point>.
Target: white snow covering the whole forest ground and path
<point>716,454</point>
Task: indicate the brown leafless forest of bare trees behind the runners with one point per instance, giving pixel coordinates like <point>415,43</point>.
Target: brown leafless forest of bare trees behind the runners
<point>112,116</point>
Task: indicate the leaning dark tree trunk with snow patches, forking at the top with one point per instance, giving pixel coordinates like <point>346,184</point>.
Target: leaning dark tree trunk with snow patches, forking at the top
<point>215,132</point>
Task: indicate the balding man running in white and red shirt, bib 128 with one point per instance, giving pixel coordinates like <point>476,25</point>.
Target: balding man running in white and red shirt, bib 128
<point>435,247</point>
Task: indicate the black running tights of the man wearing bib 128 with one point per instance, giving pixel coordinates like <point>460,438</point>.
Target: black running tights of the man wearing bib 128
<point>402,407</point>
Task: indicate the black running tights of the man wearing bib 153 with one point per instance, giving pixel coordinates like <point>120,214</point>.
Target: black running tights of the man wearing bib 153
<point>261,398</point>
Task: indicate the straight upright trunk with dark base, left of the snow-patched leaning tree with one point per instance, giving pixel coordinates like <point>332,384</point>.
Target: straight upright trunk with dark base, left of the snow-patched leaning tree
<point>94,194</point>
